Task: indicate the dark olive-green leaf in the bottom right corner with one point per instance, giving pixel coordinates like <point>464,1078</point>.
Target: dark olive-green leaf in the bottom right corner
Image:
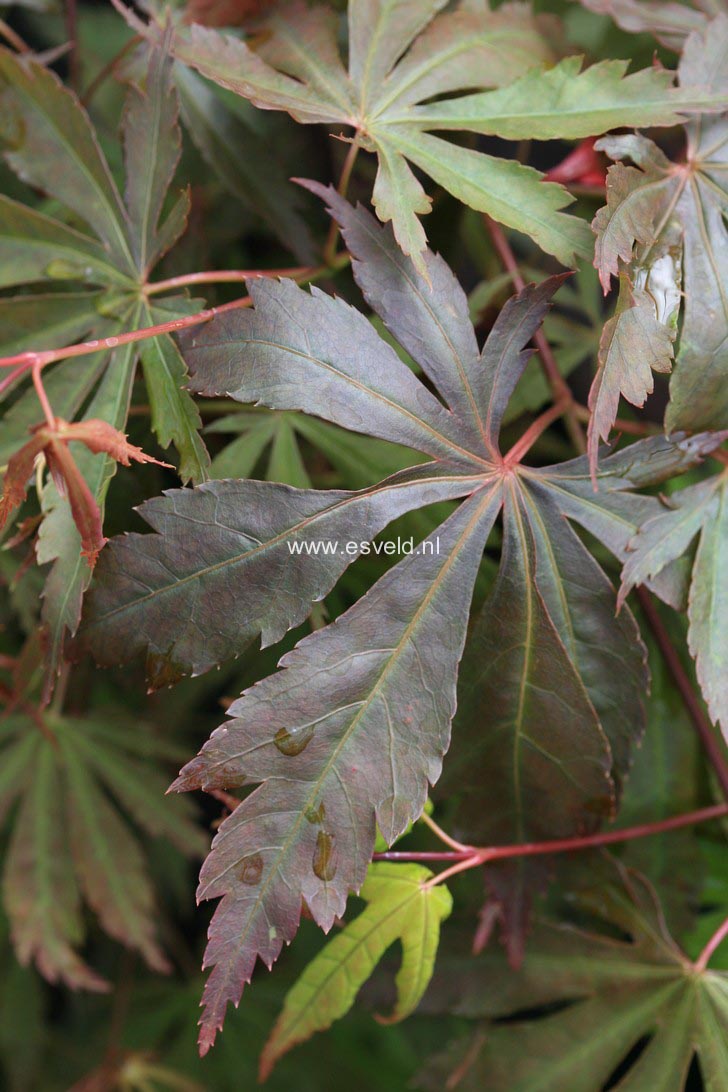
<point>612,993</point>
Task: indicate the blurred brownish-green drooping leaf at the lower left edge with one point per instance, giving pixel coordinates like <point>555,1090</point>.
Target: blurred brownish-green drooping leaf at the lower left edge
<point>69,844</point>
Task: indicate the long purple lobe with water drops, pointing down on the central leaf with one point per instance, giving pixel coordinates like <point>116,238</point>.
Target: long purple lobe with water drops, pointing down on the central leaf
<point>362,746</point>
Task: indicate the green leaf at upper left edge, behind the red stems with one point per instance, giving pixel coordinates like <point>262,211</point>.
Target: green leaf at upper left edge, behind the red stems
<point>51,144</point>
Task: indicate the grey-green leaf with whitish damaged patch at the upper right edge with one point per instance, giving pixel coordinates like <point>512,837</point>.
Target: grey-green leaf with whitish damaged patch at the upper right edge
<point>662,218</point>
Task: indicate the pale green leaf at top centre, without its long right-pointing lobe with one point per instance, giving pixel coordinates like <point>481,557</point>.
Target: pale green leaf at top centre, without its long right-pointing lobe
<point>457,51</point>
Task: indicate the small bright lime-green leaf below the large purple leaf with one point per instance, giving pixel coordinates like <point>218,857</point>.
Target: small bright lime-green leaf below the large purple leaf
<point>400,907</point>
